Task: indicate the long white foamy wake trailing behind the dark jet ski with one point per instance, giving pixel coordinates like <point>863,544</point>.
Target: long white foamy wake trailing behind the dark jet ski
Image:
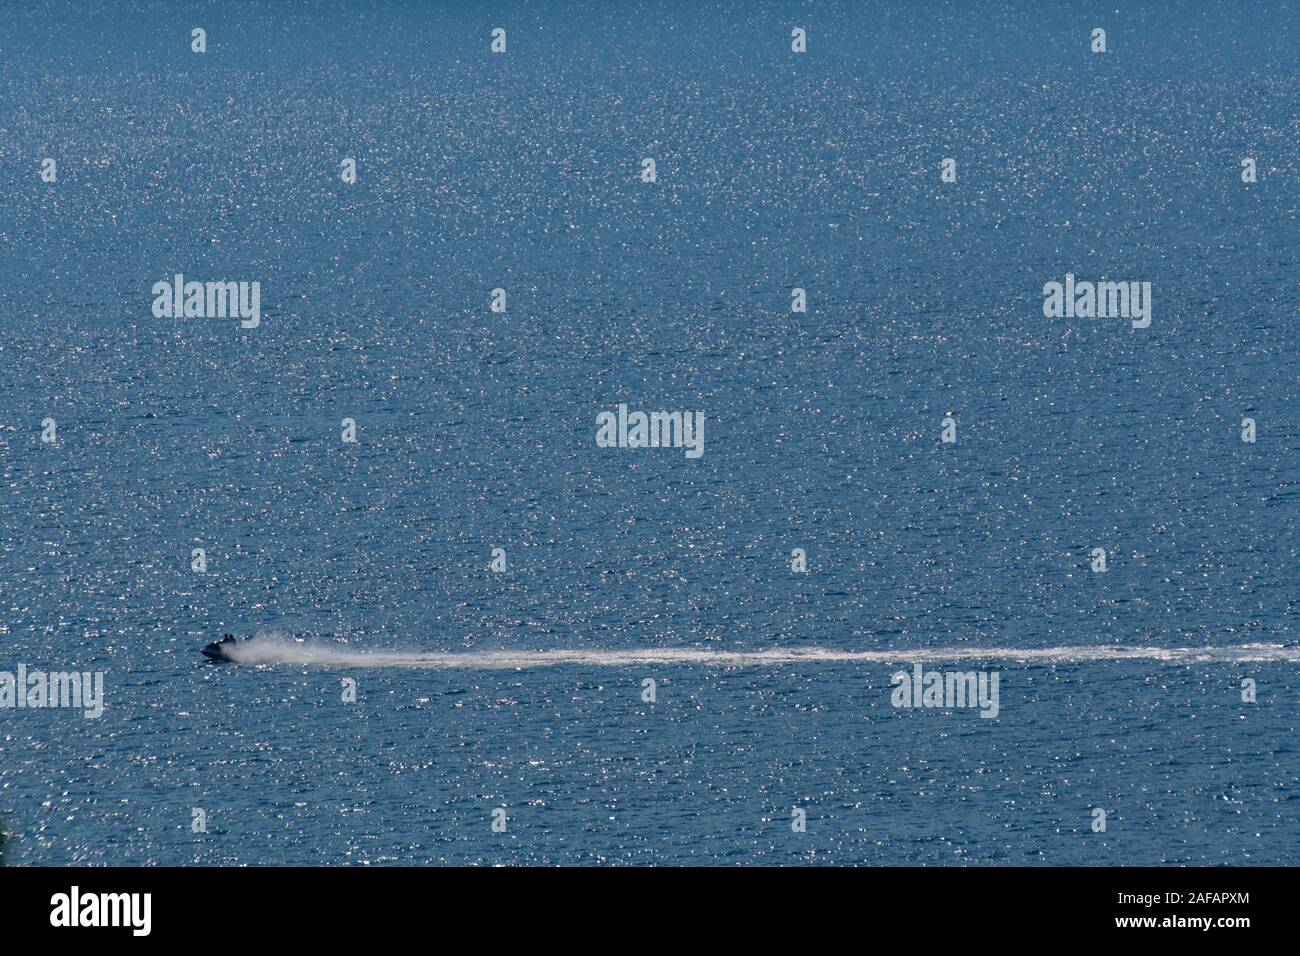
<point>271,651</point>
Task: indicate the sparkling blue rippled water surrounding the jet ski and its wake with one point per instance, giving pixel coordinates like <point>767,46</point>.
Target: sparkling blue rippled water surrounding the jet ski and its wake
<point>476,430</point>
